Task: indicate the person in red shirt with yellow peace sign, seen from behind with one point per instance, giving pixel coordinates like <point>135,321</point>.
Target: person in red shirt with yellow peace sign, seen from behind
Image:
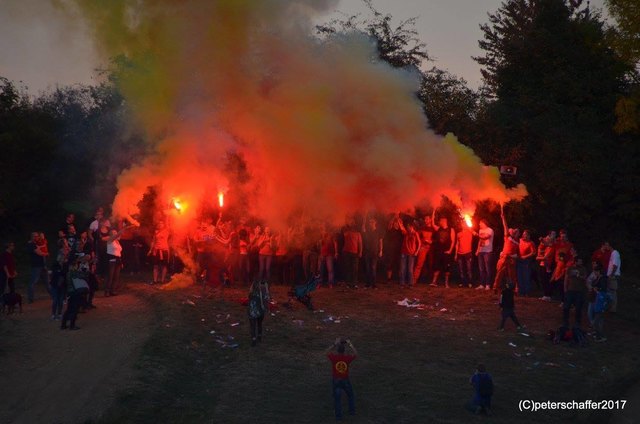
<point>340,363</point>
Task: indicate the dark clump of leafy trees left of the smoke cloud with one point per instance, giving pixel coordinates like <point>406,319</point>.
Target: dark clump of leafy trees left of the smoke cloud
<point>62,152</point>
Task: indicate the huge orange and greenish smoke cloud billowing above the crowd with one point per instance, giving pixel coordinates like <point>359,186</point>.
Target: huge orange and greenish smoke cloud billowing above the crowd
<point>324,129</point>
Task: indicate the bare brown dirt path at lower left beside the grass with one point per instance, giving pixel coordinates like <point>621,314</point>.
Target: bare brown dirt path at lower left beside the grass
<point>55,376</point>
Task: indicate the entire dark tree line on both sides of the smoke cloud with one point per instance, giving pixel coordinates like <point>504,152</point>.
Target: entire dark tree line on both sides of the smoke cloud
<point>560,100</point>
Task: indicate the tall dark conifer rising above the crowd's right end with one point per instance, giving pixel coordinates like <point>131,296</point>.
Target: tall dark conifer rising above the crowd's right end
<point>552,82</point>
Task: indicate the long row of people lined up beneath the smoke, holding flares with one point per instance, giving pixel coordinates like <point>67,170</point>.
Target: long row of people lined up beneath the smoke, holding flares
<point>398,249</point>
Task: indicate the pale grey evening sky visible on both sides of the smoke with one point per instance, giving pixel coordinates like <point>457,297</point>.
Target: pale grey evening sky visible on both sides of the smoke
<point>42,49</point>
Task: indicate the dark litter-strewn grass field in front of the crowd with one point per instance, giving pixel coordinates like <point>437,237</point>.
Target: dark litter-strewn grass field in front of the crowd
<point>413,365</point>
